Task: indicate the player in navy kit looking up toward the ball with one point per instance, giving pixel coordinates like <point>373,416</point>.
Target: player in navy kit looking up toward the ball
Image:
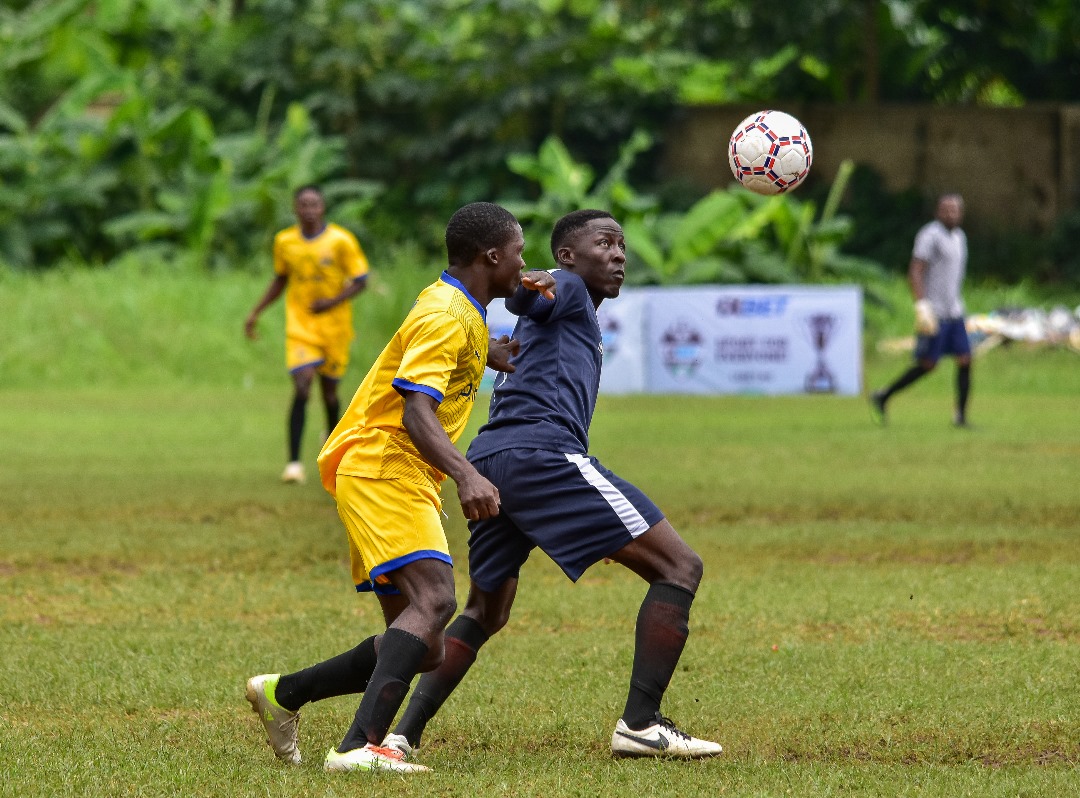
<point>557,497</point>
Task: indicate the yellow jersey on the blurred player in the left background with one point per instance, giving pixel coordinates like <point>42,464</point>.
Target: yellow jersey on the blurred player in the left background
<point>318,268</point>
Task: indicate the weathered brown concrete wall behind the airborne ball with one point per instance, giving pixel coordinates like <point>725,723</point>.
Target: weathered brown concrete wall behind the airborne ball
<point>1018,169</point>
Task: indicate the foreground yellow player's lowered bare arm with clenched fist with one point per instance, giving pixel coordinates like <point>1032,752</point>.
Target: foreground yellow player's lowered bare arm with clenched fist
<point>480,499</point>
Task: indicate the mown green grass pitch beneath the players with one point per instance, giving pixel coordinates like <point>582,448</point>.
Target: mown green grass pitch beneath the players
<point>886,612</point>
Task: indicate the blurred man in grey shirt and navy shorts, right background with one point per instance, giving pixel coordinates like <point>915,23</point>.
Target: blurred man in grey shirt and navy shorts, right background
<point>939,261</point>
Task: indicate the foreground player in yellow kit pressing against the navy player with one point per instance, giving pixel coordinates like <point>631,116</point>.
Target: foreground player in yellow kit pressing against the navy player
<point>385,464</point>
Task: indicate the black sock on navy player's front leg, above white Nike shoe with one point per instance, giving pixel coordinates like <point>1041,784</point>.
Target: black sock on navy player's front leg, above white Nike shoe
<point>663,629</point>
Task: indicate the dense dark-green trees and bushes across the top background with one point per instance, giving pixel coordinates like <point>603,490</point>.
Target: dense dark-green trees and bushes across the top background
<point>184,127</point>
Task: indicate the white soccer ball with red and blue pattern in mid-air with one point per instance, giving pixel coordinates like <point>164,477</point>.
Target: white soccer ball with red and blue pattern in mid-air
<point>771,153</point>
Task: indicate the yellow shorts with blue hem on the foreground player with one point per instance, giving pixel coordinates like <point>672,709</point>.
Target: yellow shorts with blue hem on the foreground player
<point>390,523</point>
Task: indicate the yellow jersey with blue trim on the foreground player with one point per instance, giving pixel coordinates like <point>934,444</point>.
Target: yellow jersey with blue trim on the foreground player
<point>440,349</point>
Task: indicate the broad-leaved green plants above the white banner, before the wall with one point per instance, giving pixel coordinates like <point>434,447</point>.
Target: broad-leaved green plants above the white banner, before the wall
<point>727,237</point>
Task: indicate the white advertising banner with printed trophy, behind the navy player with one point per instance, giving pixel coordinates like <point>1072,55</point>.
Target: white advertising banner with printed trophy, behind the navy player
<point>776,340</point>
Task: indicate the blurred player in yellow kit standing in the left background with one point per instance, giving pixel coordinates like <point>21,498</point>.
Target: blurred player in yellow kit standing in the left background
<point>320,267</point>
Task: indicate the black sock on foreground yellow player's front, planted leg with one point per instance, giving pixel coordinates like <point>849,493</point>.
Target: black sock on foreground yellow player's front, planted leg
<point>400,656</point>
